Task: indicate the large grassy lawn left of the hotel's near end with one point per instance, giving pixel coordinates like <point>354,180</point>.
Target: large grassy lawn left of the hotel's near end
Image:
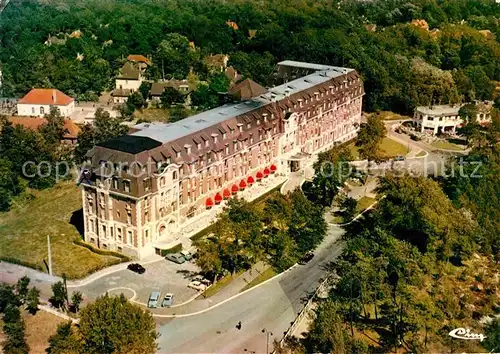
<point>24,230</point>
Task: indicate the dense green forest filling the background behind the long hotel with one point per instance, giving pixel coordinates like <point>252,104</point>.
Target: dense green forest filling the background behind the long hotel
<point>402,65</point>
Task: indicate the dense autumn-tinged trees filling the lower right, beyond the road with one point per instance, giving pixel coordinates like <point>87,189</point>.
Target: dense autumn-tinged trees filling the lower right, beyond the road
<point>420,264</point>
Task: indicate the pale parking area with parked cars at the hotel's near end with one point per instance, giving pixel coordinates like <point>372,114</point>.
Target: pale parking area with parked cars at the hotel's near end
<point>163,276</point>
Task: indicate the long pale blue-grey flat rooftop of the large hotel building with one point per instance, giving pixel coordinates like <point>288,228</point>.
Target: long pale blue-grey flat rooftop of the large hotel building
<point>169,132</point>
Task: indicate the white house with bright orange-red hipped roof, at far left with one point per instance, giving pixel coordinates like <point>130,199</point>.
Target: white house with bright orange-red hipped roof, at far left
<point>38,101</point>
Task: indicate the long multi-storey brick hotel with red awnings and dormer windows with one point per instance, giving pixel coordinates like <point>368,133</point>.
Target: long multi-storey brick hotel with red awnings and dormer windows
<point>163,182</point>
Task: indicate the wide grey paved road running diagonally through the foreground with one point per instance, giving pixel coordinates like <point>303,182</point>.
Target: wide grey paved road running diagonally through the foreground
<point>273,306</point>
